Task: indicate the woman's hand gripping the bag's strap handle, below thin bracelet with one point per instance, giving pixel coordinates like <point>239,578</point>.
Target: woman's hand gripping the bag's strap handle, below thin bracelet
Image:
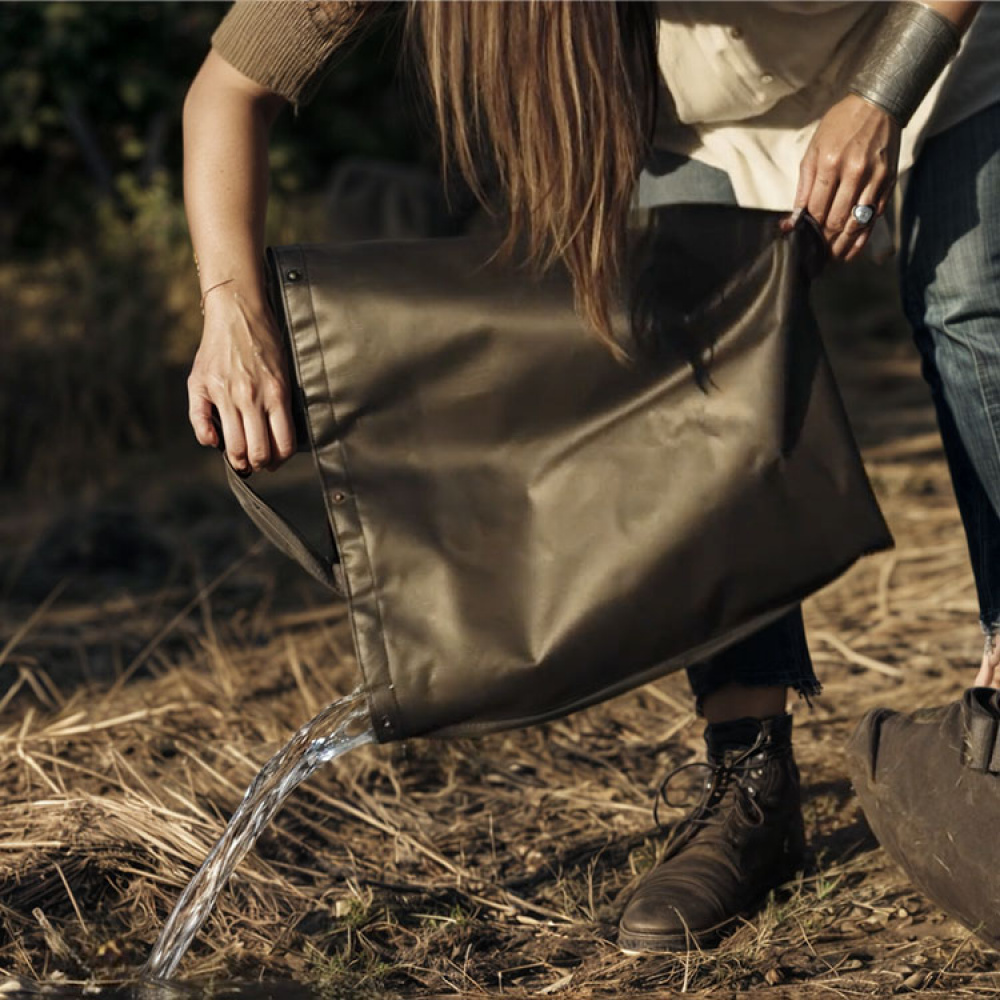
<point>241,370</point>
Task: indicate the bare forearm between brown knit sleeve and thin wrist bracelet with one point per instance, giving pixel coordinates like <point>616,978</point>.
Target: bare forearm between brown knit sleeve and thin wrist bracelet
<point>227,123</point>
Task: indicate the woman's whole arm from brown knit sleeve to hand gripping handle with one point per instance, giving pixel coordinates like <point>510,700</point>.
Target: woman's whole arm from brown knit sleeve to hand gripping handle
<point>264,55</point>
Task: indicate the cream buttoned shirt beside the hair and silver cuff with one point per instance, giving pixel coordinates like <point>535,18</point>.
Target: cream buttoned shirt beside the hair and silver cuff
<point>744,84</point>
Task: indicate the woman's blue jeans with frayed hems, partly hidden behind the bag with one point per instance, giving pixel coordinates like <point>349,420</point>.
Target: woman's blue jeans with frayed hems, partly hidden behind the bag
<point>950,282</point>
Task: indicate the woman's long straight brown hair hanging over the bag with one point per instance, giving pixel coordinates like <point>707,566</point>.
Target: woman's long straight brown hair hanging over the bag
<point>560,95</point>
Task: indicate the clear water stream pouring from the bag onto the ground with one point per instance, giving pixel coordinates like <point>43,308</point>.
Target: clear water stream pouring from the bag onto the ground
<point>339,728</point>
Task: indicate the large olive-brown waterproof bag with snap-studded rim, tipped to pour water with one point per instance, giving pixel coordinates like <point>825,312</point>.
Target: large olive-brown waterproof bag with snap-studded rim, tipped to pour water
<point>520,524</point>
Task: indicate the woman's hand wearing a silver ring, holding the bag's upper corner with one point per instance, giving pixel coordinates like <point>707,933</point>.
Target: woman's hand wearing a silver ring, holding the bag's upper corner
<point>852,160</point>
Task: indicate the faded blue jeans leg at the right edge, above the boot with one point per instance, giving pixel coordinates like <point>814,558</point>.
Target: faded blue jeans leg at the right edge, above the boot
<point>950,280</point>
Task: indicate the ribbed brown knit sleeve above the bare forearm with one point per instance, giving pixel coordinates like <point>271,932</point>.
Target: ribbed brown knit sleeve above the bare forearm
<point>286,45</point>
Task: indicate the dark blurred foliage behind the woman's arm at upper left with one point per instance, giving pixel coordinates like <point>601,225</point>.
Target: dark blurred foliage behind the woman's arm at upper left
<point>98,295</point>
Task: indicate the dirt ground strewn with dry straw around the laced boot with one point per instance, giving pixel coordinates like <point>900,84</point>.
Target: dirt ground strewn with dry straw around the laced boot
<point>153,653</point>
